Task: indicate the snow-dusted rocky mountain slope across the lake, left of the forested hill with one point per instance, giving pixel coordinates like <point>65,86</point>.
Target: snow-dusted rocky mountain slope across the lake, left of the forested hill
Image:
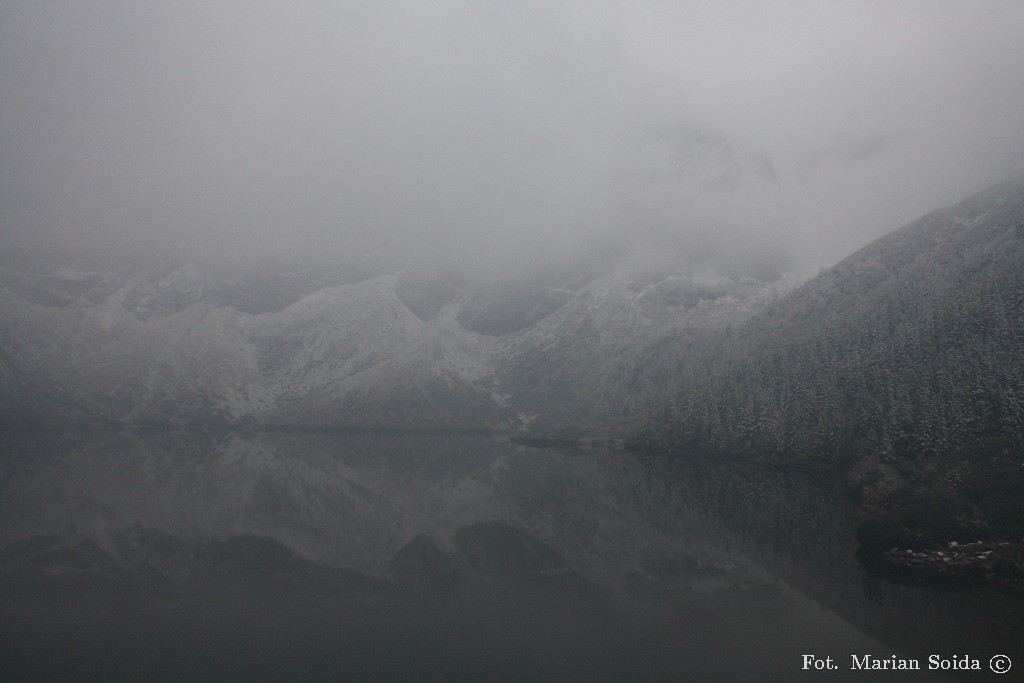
<point>168,345</point>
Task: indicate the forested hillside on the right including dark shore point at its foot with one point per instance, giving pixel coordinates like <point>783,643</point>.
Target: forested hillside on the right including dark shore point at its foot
<point>904,366</point>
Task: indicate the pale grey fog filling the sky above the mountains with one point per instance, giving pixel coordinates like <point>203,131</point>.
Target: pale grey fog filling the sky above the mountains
<point>494,136</point>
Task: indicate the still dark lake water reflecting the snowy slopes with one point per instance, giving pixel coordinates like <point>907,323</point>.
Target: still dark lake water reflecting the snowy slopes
<point>445,559</point>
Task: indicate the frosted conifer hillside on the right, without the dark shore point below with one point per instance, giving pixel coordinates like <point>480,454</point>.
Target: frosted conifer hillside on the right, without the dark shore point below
<point>911,347</point>
